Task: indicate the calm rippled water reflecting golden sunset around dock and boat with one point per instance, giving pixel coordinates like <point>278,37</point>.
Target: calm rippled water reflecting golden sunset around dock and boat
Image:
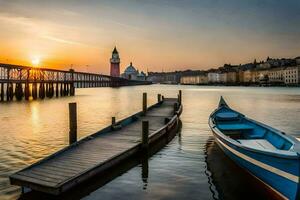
<point>191,166</point>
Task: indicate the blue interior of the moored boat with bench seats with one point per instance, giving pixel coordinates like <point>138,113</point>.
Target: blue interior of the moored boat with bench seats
<point>248,133</point>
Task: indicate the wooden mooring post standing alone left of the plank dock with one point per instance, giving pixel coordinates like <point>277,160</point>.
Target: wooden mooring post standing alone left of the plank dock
<point>72,123</point>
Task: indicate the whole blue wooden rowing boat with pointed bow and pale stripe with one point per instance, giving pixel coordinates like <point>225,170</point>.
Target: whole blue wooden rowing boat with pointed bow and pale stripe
<point>268,154</point>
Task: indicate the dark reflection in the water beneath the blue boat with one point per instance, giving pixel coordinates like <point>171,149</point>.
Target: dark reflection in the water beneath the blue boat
<point>231,181</point>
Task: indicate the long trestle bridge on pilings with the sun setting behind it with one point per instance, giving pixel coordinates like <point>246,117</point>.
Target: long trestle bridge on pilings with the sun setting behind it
<point>33,83</point>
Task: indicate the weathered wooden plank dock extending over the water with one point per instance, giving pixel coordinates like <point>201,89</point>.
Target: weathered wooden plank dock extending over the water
<point>103,150</point>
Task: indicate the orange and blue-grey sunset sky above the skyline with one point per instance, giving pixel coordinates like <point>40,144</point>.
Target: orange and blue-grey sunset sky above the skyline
<point>159,35</point>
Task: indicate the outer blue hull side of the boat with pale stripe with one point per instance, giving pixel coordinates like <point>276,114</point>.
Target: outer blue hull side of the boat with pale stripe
<point>279,174</point>
